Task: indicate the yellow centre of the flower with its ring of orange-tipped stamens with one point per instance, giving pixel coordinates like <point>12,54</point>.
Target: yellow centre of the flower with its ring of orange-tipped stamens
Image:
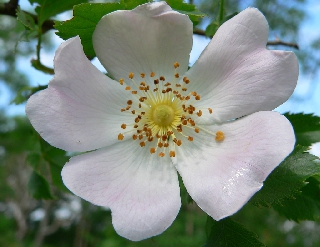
<point>162,111</point>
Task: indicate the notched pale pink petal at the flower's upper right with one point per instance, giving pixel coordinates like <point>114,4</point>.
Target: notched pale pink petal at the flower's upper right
<point>236,75</point>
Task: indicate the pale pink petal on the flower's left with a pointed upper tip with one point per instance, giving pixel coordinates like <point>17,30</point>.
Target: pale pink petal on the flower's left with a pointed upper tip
<point>80,109</point>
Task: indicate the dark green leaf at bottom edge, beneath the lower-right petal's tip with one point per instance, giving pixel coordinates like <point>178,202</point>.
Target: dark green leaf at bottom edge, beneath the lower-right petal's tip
<point>226,233</point>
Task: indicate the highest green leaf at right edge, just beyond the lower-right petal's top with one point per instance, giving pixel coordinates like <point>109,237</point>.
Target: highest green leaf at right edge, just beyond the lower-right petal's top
<point>306,128</point>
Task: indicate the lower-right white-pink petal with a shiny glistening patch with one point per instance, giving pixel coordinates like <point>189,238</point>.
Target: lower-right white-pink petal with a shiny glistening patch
<point>222,176</point>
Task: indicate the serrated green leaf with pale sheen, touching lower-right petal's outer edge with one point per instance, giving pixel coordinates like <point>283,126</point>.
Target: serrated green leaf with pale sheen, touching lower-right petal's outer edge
<point>288,178</point>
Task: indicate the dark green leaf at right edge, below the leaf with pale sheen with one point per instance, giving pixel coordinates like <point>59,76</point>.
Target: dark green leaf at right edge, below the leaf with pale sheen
<point>305,205</point>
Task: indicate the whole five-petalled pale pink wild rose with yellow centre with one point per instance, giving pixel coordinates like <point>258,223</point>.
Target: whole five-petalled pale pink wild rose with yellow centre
<point>213,123</point>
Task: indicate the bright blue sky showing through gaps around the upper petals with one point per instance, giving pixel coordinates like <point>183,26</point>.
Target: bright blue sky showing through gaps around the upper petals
<point>310,30</point>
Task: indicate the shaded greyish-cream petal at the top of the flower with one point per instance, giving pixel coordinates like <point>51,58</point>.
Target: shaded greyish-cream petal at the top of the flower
<point>150,38</point>
